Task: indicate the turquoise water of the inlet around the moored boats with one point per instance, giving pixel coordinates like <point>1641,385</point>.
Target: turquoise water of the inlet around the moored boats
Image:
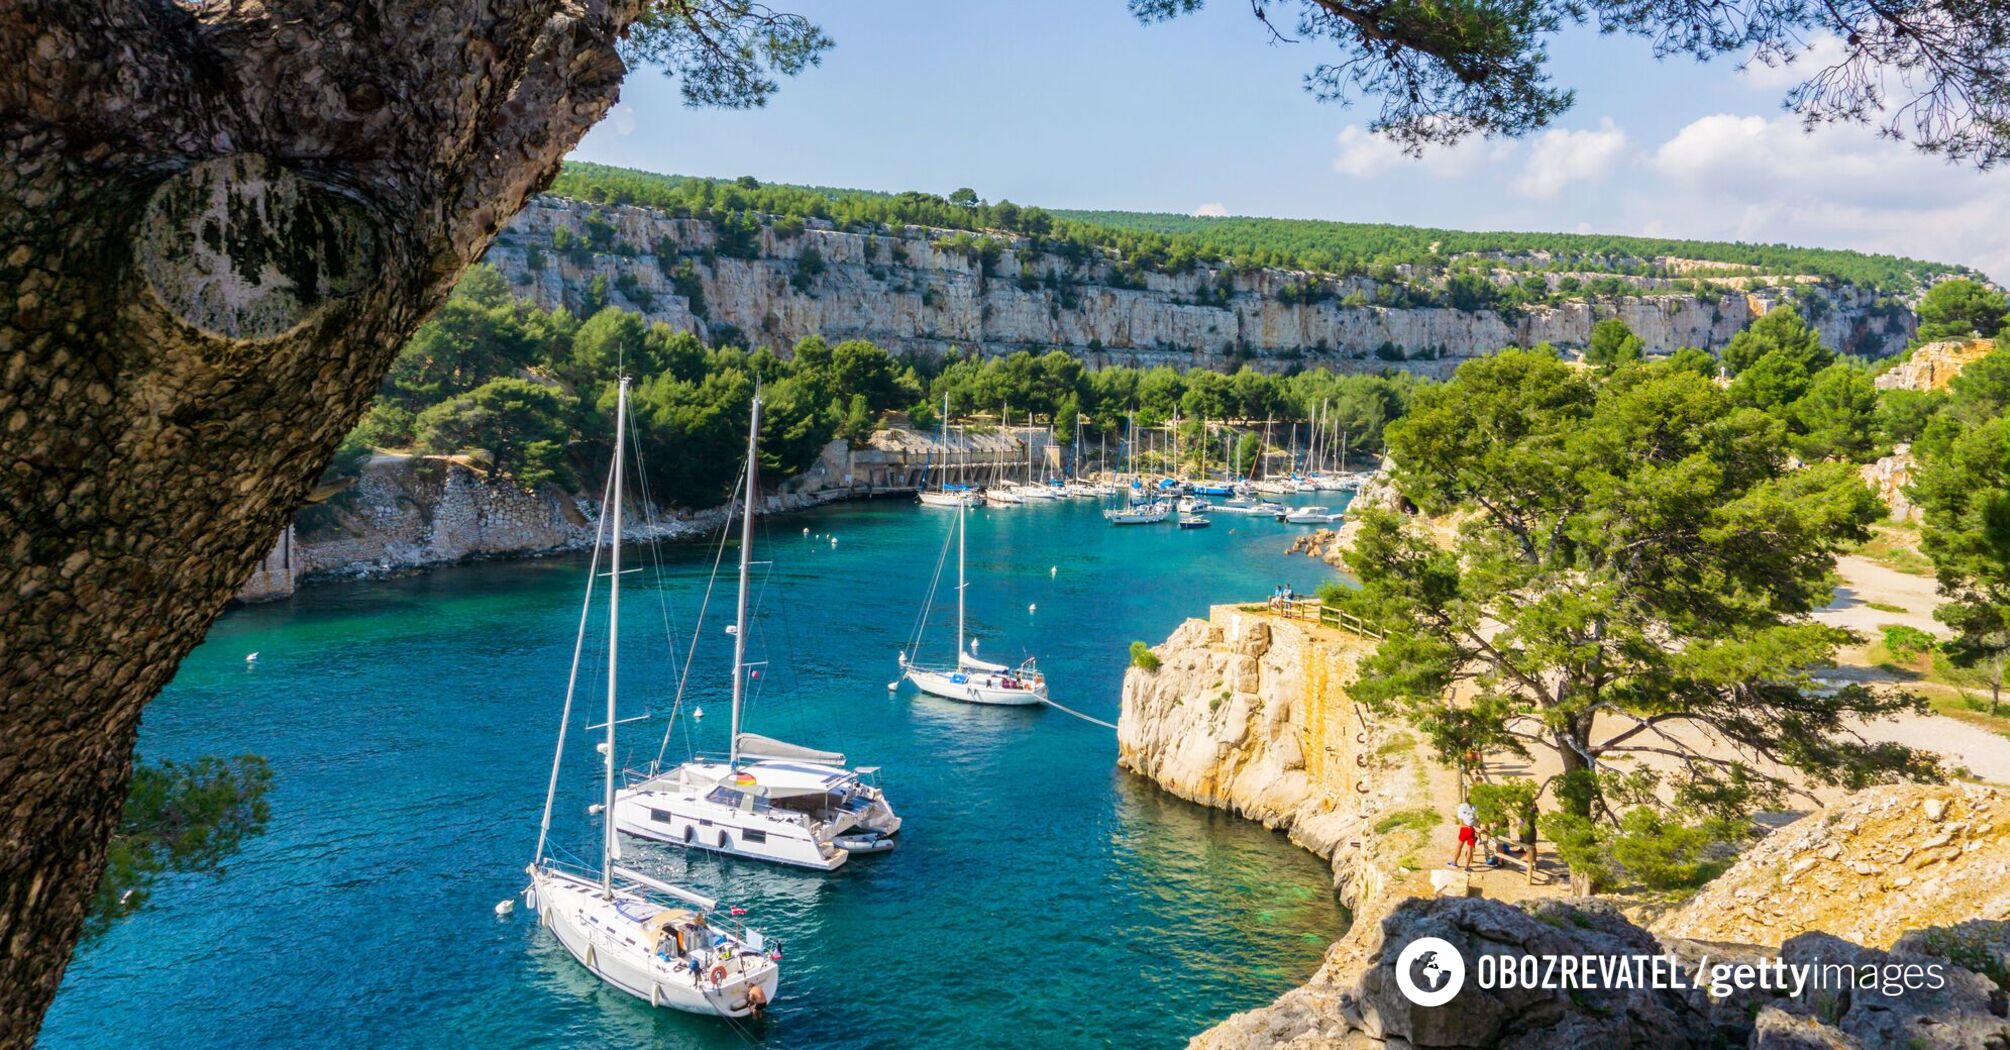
<point>1040,894</point>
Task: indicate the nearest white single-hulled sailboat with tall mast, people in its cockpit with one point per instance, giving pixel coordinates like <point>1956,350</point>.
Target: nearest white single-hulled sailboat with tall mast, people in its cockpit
<point>654,940</point>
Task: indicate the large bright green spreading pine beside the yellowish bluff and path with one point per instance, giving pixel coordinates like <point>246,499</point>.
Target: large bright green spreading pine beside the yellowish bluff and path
<point>1637,546</point>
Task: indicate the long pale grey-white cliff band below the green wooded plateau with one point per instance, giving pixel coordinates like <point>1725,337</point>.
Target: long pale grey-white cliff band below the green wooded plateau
<point>914,293</point>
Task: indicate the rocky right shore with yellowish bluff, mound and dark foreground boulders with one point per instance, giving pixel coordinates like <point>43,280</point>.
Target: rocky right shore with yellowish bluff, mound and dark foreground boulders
<point>1249,713</point>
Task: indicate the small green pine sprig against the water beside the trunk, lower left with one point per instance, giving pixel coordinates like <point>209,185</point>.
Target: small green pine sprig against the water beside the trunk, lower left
<point>178,818</point>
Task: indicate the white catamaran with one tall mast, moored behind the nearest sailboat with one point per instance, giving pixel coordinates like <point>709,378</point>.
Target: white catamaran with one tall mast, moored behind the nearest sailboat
<point>767,800</point>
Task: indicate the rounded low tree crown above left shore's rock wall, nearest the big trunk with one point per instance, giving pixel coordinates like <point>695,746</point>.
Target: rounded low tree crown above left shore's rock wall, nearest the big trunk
<point>520,423</point>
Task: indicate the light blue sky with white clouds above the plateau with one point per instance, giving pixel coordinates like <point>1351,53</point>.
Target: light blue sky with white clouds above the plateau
<point>1078,106</point>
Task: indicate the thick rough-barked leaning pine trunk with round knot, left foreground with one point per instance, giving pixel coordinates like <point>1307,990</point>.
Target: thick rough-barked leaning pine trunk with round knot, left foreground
<point>218,224</point>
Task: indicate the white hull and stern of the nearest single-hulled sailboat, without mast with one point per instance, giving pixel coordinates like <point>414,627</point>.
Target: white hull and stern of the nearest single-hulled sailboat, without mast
<point>610,944</point>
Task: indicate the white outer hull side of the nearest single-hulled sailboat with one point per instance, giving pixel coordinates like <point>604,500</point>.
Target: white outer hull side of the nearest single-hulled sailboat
<point>564,910</point>
